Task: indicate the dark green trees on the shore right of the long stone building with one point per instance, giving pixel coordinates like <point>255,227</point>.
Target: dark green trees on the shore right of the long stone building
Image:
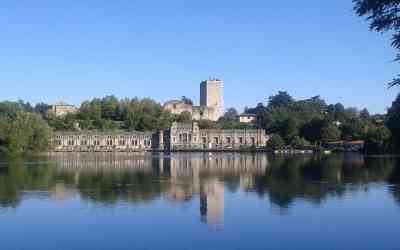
<point>302,123</point>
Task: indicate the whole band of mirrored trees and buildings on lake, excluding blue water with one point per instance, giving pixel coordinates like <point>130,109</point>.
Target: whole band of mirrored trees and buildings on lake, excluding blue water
<point>109,179</point>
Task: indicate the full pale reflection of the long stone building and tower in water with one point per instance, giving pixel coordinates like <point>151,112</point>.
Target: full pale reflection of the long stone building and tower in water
<point>185,176</point>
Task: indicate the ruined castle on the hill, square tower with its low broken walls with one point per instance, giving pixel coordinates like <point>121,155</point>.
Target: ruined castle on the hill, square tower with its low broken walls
<point>211,102</point>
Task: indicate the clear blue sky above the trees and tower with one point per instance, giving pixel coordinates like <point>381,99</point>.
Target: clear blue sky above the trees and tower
<point>75,50</point>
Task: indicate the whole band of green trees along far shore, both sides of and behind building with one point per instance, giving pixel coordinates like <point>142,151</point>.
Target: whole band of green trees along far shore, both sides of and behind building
<point>309,124</point>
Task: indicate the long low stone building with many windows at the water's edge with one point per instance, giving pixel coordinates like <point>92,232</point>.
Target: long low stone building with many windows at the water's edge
<point>179,137</point>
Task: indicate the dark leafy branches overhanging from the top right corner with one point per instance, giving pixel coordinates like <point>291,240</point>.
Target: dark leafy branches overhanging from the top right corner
<point>384,15</point>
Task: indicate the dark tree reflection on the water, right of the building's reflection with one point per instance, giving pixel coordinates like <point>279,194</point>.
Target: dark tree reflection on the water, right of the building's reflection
<point>318,178</point>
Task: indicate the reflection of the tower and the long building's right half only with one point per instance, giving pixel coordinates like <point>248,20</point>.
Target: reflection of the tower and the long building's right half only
<point>206,175</point>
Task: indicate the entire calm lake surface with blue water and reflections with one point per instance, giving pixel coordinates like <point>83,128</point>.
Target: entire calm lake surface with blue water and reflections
<point>199,201</point>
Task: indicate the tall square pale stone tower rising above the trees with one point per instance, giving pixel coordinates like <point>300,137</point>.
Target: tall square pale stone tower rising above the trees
<point>212,96</point>
